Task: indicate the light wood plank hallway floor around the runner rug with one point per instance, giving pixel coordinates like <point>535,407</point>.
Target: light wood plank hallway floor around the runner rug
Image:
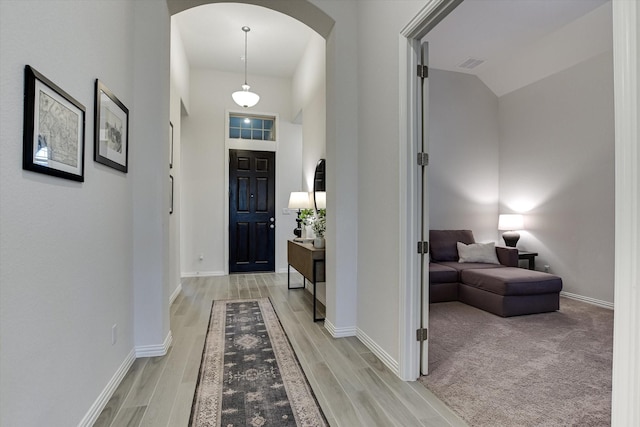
<point>351,384</point>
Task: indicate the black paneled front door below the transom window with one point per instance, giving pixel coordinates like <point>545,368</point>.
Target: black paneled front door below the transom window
<point>252,185</point>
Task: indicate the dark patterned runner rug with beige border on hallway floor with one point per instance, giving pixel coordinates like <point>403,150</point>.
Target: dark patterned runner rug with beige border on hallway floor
<point>249,374</point>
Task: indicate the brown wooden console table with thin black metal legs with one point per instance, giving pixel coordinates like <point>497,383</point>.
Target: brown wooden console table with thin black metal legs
<point>309,262</point>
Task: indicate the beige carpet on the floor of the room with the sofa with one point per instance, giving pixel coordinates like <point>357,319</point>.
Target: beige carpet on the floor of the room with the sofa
<point>551,369</point>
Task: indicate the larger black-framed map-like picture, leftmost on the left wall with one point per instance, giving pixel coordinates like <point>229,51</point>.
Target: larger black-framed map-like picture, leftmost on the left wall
<point>54,129</point>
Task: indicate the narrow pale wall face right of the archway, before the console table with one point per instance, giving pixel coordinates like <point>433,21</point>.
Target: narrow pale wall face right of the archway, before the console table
<point>341,168</point>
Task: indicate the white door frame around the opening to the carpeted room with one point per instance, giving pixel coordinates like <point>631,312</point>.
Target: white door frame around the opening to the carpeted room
<point>626,66</point>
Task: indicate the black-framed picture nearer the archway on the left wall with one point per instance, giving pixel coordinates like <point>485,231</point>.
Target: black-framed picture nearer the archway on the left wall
<point>111,139</point>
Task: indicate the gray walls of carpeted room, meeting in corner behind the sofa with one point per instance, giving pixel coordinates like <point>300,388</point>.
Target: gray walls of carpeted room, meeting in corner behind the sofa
<point>545,150</point>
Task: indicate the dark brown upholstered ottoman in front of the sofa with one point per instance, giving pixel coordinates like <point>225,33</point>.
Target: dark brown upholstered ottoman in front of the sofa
<point>510,291</point>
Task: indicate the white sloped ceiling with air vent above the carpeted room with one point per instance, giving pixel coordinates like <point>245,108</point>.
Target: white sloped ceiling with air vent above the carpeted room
<point>517,42</point>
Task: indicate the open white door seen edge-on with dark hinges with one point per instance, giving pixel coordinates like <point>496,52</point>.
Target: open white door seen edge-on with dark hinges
<point>423,157</point>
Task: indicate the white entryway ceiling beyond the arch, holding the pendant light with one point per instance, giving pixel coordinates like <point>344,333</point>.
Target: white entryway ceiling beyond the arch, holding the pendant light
<point>213,38</point>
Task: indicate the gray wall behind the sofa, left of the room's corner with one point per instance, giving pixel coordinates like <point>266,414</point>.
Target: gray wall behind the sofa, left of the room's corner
<point>463,155</point>
